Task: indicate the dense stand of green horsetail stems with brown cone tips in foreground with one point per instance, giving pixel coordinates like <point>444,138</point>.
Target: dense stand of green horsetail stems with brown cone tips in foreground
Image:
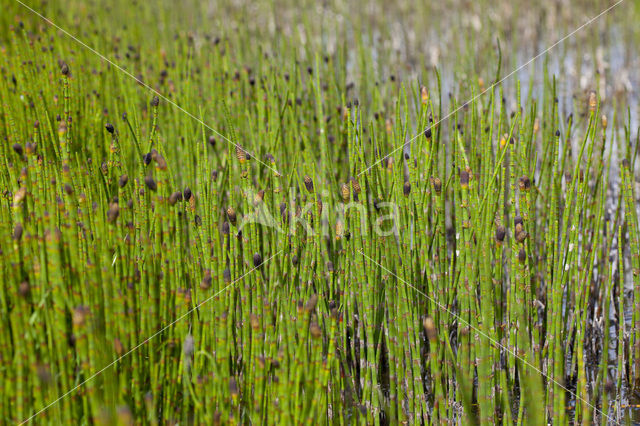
<point>493,290</point>
